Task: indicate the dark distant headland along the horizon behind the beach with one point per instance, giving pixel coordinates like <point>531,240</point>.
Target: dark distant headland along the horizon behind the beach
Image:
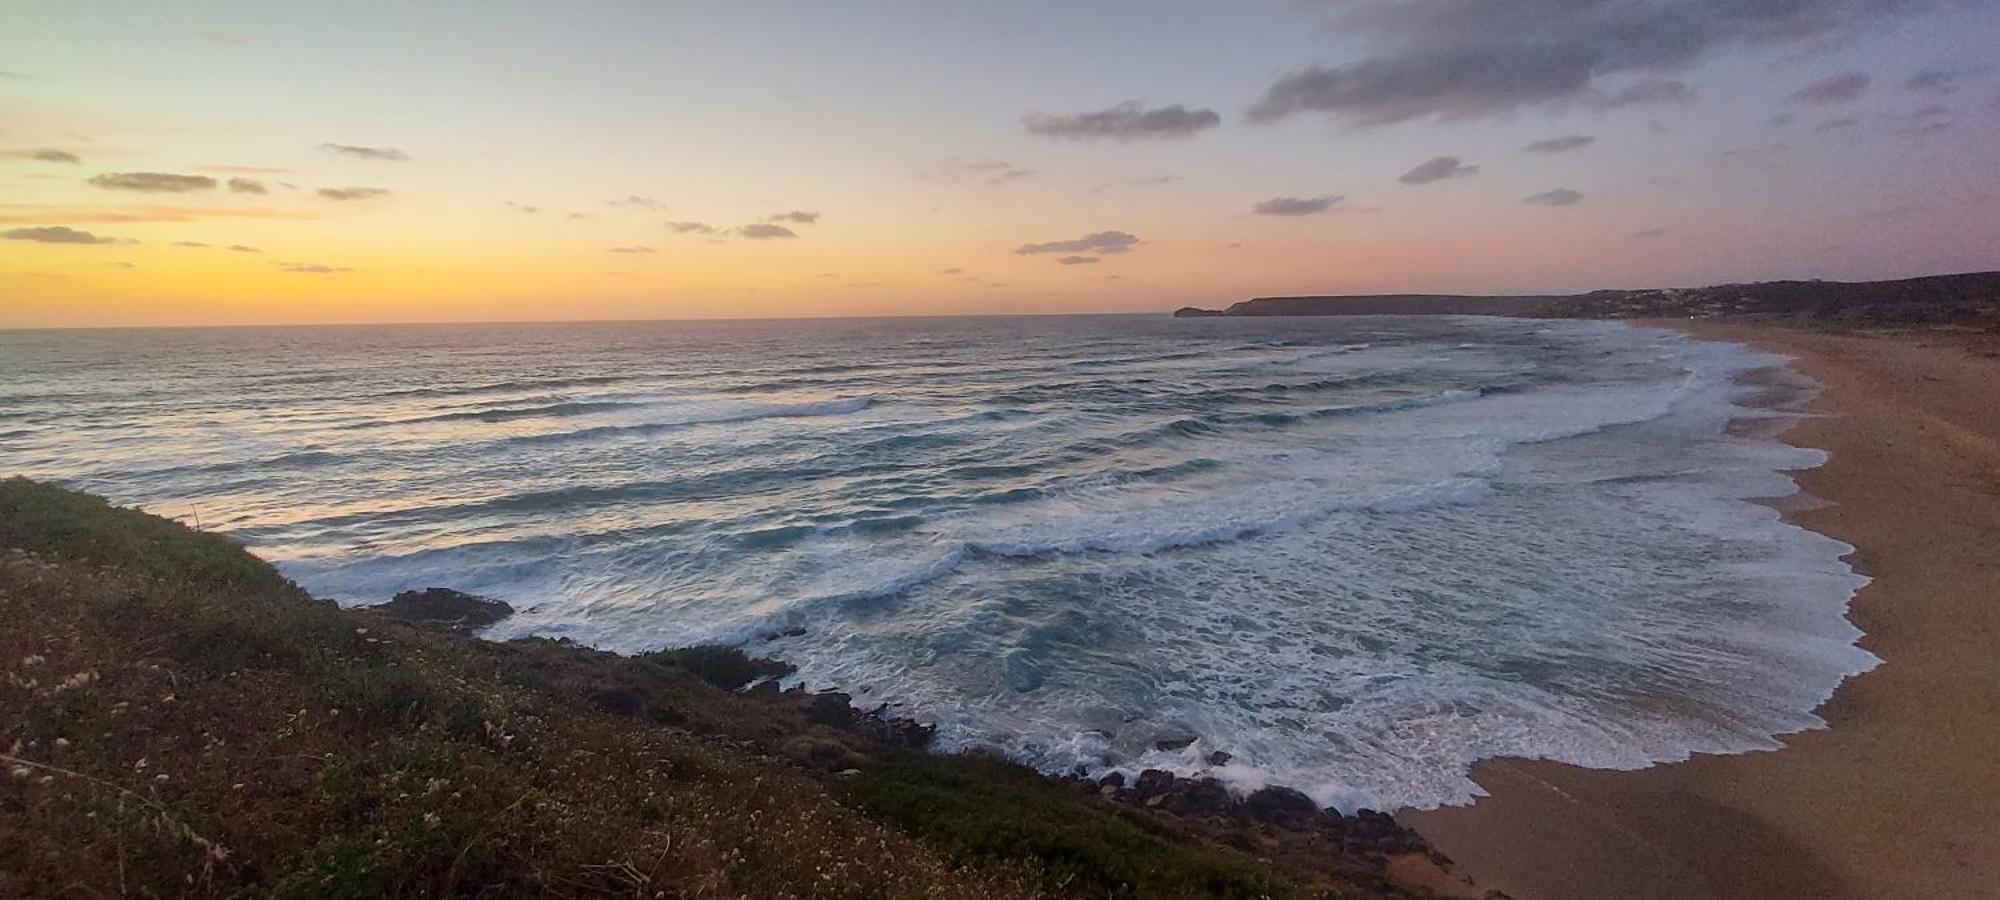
<point>1959,299</point>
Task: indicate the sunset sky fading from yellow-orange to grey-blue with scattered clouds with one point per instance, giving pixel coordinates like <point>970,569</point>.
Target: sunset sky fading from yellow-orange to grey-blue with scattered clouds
<point>255,163</point>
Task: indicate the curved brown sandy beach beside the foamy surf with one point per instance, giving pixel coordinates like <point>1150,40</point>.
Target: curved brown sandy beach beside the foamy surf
<point>1901,795</point>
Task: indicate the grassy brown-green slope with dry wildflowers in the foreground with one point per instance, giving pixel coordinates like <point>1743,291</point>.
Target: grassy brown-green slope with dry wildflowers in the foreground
<point>179,719</point>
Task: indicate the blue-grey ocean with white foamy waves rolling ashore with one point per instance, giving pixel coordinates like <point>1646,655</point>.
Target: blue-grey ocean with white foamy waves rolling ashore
<point>1355,555</point>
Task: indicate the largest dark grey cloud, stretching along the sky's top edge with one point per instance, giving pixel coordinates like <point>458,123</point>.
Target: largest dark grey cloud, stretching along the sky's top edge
<point>1455,59</point>
